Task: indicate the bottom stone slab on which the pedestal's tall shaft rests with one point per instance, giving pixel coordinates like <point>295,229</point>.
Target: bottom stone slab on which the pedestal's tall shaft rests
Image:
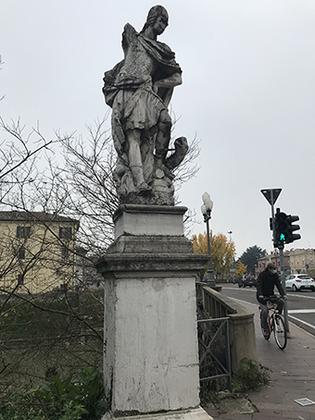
<point>191,414</point>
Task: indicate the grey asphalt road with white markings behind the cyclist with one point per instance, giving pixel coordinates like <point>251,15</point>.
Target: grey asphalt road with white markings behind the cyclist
<point>301,305</point>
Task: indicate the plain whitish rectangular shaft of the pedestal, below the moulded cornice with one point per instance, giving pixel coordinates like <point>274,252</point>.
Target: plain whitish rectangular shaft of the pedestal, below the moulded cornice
<point>155,362</point>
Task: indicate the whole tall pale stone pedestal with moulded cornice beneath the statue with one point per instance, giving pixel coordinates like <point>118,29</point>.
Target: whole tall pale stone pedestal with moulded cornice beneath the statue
<point>151,353</point>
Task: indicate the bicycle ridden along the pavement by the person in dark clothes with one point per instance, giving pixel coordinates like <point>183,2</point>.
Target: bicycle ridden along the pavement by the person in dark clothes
<point>275,323</point>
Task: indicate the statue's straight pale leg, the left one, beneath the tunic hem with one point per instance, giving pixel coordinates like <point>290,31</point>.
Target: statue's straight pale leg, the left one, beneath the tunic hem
<point>135,160</point>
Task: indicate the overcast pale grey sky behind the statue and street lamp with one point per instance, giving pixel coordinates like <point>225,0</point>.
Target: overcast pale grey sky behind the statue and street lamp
<point>248,93</point>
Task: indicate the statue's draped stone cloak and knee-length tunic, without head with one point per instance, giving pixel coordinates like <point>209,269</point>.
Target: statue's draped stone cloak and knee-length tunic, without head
<point>129,90</point>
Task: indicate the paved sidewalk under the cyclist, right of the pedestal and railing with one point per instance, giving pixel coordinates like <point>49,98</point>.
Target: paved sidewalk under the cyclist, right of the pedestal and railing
<point>292,377</point>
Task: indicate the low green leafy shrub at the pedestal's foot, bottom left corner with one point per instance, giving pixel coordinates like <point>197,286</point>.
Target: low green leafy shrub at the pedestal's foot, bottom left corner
<point>73,397</point>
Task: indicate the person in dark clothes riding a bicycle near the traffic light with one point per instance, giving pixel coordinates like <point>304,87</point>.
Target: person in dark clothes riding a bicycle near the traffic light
<point>266,282</point>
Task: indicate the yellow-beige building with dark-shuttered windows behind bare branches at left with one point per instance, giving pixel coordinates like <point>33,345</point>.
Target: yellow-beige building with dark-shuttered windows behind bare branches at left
<point>36,251</point>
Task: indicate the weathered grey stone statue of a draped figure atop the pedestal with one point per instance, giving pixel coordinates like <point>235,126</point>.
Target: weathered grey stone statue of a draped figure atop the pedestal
<point>139,90</point>
